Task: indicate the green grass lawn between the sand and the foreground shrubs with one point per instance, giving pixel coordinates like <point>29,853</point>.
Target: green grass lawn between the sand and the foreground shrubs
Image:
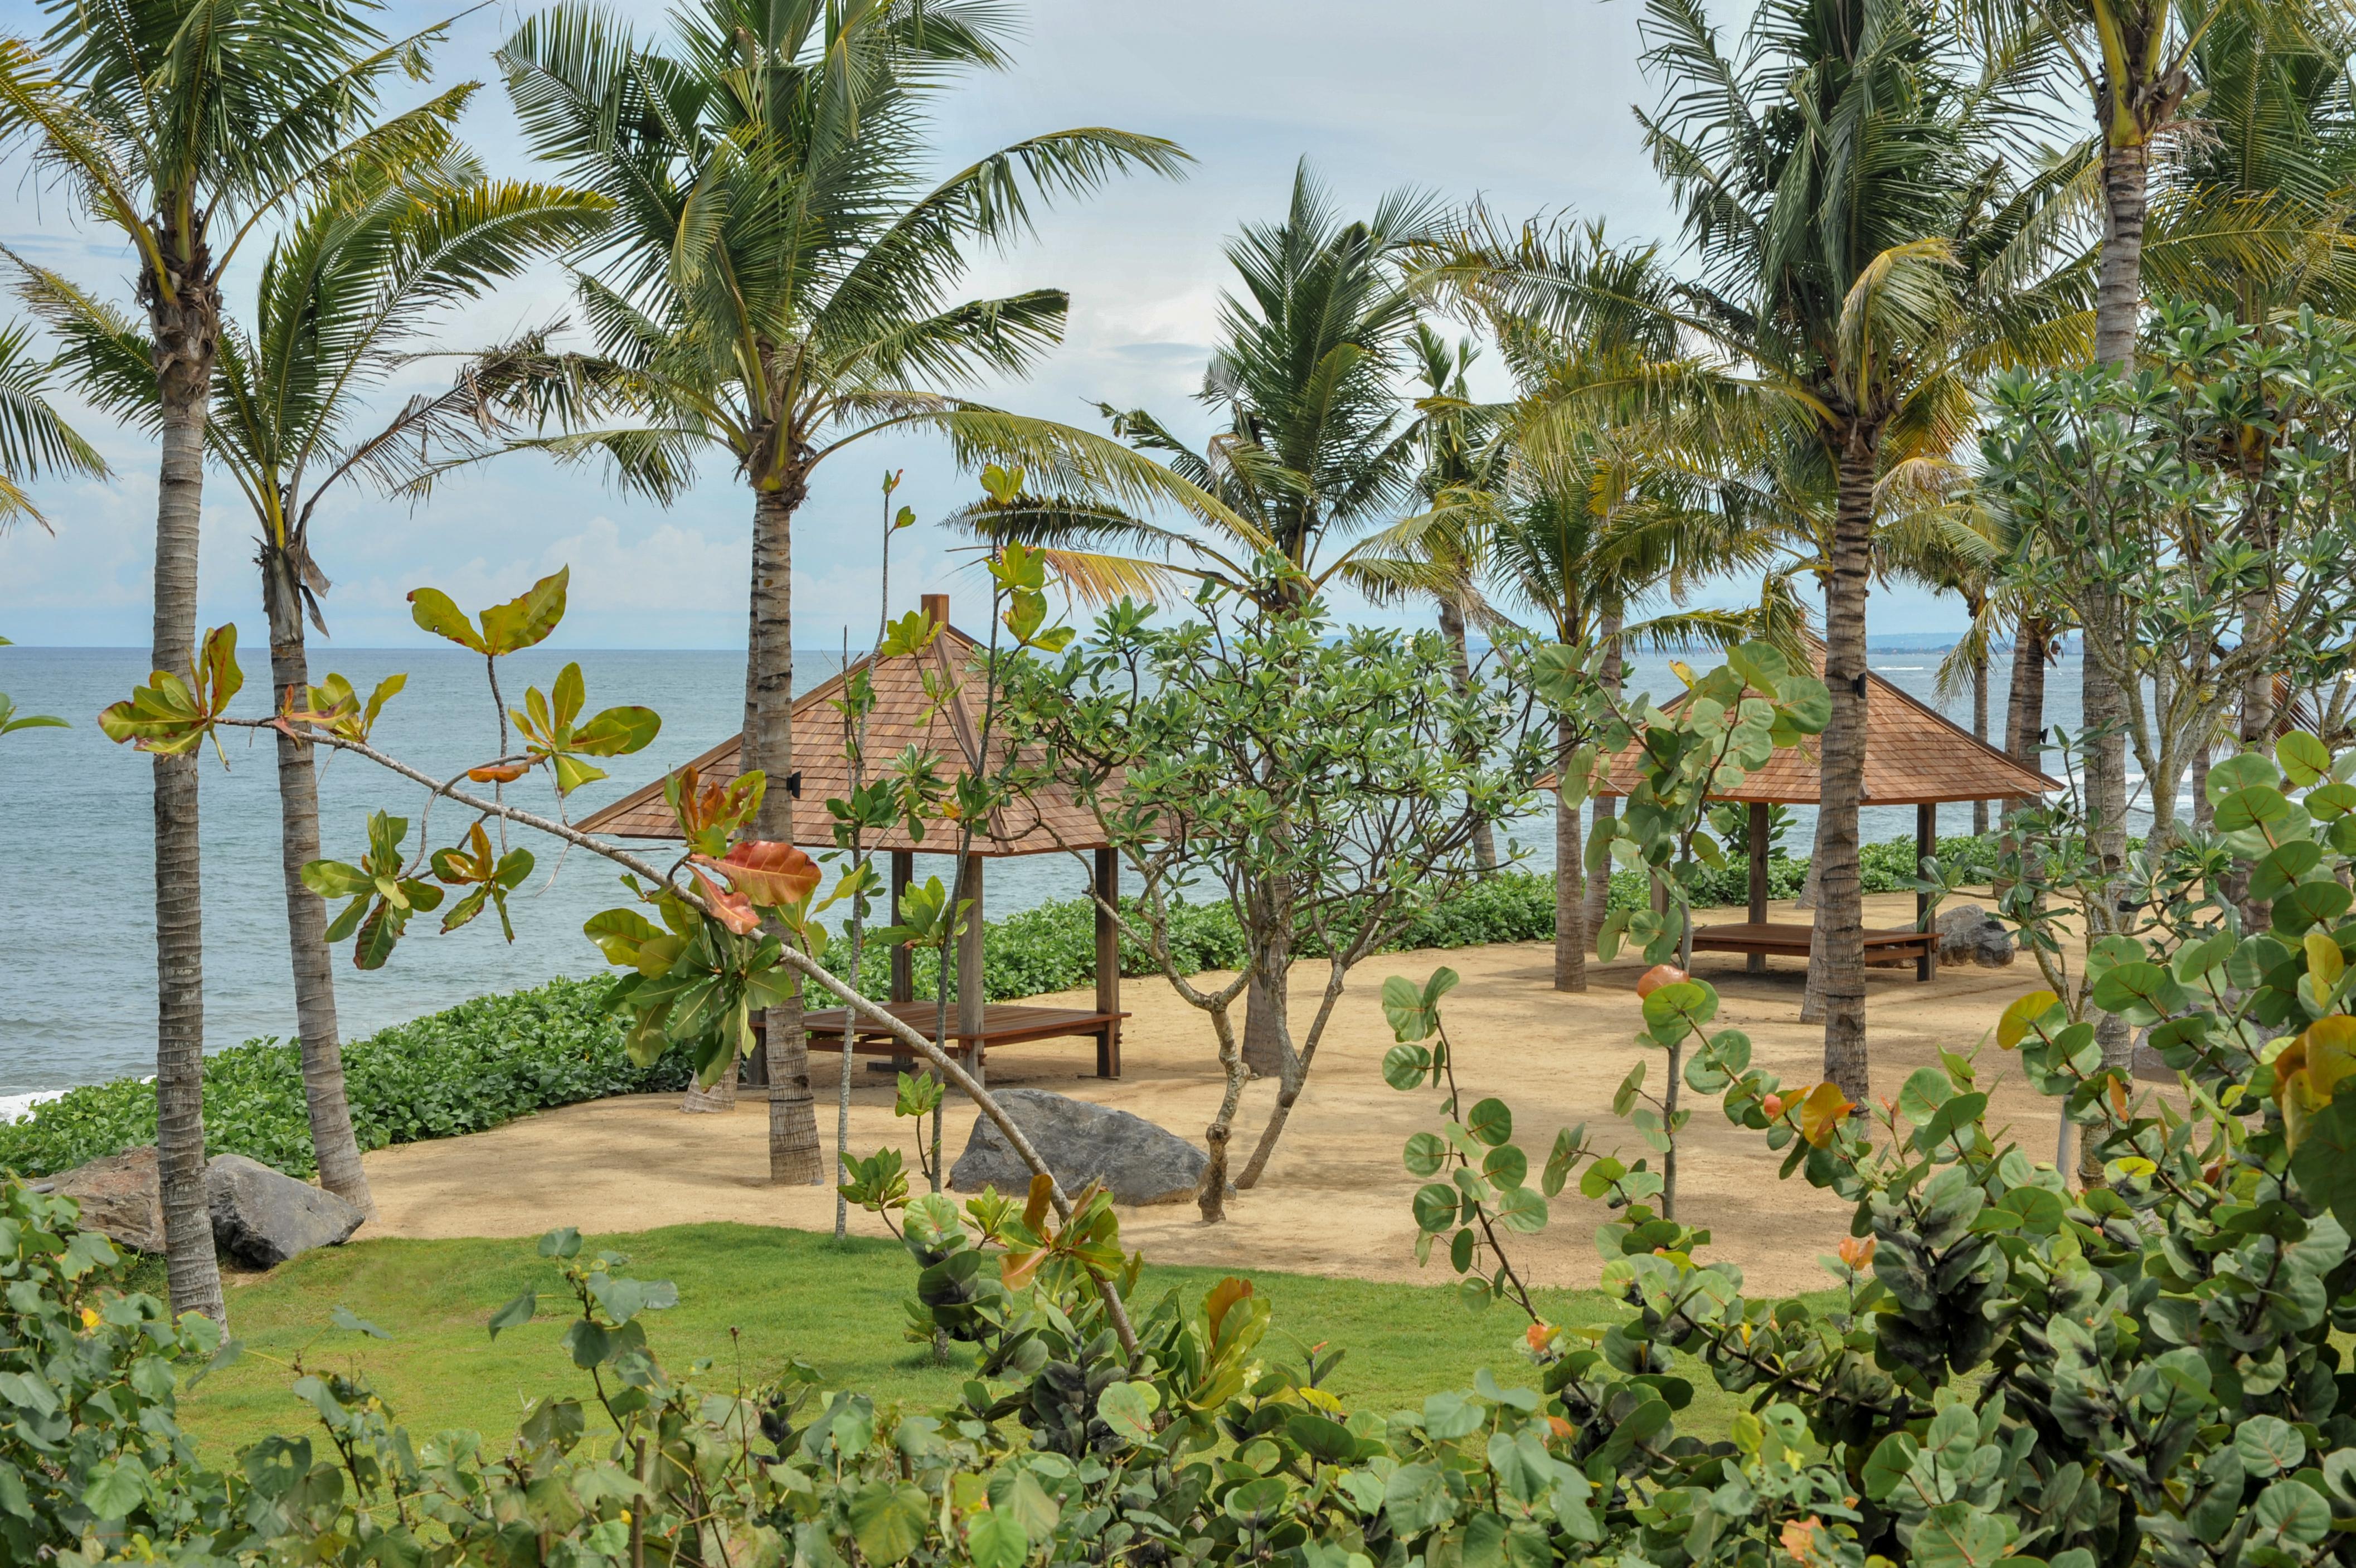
<point>786,1293</point>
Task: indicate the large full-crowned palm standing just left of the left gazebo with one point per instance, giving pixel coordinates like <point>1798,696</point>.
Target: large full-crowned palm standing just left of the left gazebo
<point>779,284</point>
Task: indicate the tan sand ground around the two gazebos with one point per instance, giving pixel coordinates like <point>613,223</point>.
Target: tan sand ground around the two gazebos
<point>1335,1199</point>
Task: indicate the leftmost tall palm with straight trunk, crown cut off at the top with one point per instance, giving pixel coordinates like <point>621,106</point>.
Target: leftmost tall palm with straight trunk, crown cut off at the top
<point>185,124</point>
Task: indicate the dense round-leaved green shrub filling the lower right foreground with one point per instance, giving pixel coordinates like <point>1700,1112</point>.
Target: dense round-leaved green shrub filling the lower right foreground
<point>2140,1371</point>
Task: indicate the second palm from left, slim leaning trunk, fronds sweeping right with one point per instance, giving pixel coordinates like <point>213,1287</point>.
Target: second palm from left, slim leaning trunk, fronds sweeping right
<point>338,308</point>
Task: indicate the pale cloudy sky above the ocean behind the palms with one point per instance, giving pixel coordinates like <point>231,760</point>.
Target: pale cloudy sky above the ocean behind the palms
<point>1521,103</point>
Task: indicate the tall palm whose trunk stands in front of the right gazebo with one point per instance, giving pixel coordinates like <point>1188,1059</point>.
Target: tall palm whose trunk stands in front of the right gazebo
<point>1865,256</point>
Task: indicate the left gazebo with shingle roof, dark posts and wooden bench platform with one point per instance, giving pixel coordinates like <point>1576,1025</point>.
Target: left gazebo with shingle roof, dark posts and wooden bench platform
<point>1043,824</point>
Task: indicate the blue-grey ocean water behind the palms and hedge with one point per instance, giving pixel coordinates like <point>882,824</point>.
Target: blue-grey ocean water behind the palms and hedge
<point>77,871</point>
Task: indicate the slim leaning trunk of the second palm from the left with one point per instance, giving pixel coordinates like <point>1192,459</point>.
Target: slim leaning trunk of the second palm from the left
<point>333,1142</point>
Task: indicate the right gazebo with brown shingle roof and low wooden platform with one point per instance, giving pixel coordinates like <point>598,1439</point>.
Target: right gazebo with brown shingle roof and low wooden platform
<point>1914,758</point>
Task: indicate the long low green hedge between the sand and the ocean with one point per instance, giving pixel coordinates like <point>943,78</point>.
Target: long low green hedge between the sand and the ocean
<point>491,1060</point>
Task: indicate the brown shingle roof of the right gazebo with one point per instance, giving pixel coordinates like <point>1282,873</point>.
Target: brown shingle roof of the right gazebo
<point>1914,756</point>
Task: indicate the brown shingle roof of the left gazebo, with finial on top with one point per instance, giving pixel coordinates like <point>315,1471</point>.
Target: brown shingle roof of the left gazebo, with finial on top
<point>904,716</point>
